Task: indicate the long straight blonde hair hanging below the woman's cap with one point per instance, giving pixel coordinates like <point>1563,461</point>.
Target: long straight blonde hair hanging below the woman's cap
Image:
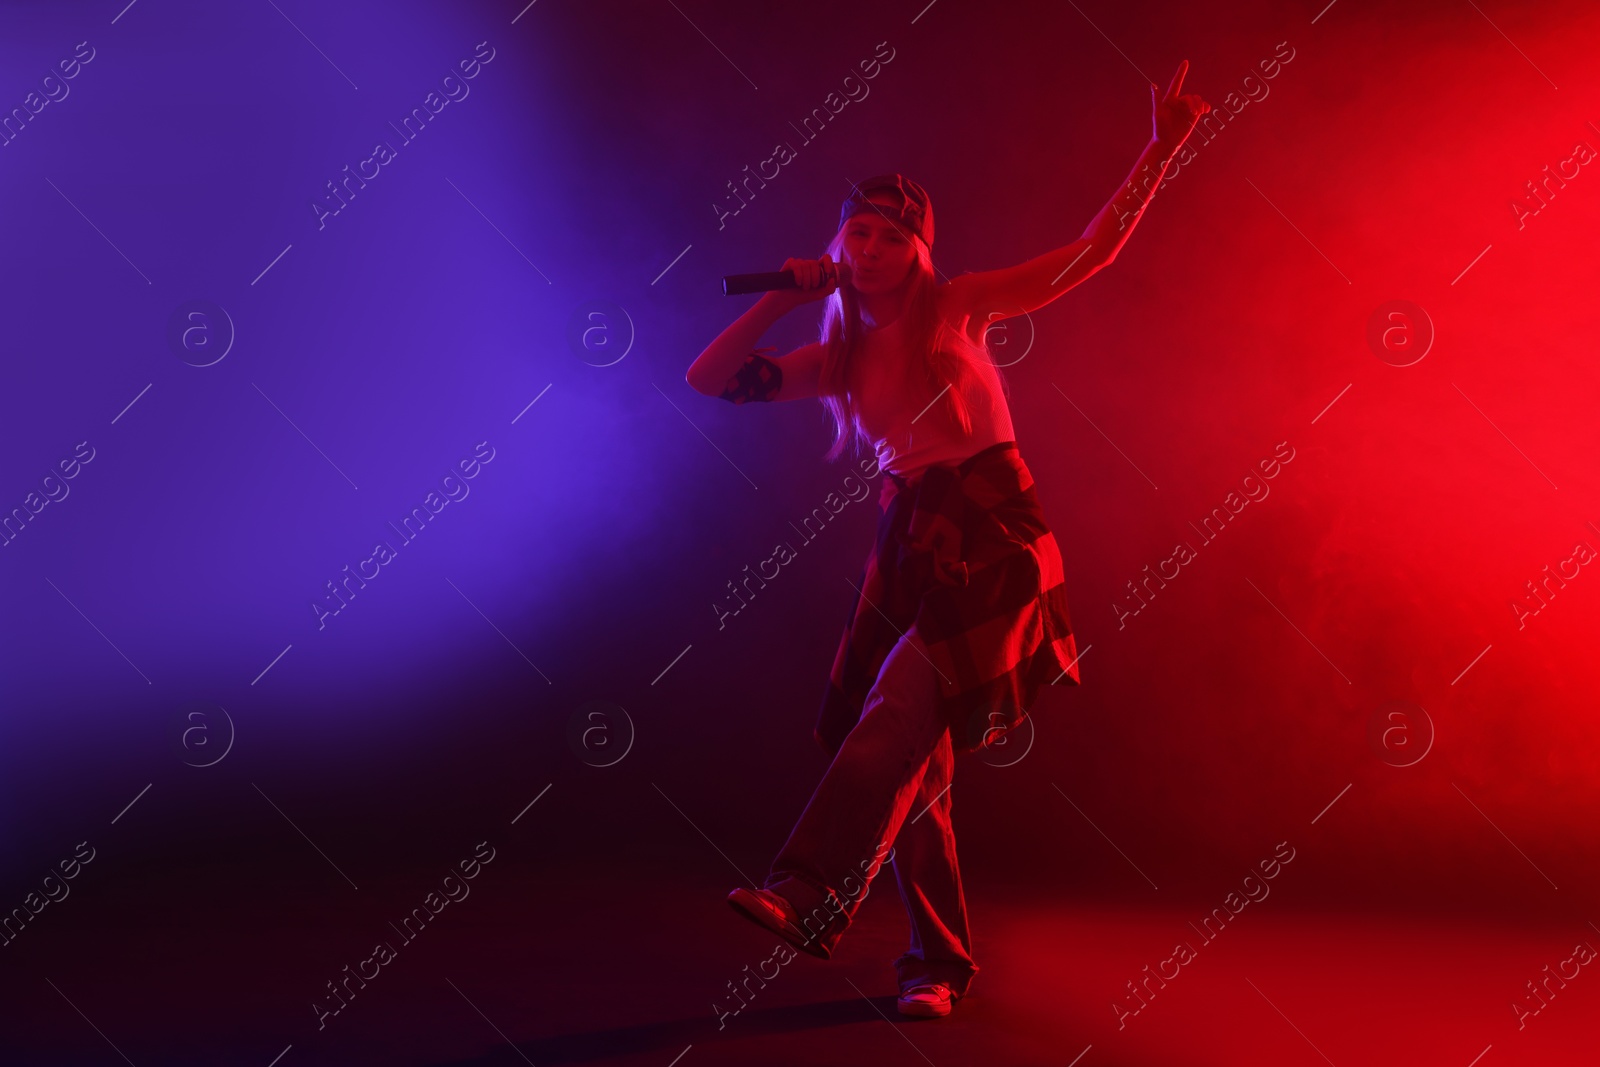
<point>926,334</point>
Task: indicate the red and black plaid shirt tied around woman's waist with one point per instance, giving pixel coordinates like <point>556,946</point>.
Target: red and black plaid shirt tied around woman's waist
<point>966,554</point>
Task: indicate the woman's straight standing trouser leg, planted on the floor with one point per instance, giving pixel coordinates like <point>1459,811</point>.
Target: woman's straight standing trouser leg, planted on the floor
<point>930,884</point>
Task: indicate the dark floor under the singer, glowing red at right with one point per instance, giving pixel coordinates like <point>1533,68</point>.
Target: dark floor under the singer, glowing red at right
<point>583,967</point>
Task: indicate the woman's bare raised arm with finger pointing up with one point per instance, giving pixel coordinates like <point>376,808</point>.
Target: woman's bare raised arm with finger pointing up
<point>1038,282</point>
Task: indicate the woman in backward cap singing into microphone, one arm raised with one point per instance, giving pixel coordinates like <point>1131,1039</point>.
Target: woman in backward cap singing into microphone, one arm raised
<point>962,612</point>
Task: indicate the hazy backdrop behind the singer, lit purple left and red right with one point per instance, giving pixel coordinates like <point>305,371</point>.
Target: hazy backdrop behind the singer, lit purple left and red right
<point>172,589</point>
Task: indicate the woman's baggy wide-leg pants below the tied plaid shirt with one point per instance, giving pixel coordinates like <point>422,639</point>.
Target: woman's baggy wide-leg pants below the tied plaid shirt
<point>889,786</point>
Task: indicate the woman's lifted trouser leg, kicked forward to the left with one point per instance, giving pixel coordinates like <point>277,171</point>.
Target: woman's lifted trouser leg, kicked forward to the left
<point>857,810</point>
